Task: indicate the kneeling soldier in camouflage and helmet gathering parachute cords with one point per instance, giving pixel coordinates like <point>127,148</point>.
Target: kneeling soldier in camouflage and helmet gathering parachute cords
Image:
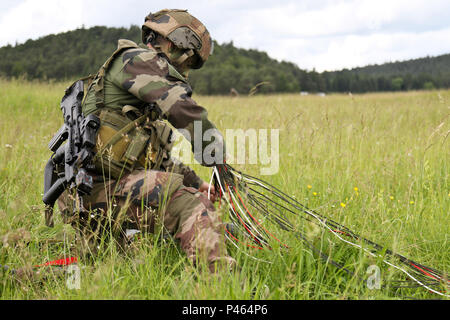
<point>137,183</point>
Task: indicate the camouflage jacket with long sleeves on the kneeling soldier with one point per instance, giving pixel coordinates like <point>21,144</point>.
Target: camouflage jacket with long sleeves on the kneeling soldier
<point>138,76</point>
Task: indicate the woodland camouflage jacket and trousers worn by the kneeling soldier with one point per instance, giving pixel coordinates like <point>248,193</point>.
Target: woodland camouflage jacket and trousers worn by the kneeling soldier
<point>147,199</point>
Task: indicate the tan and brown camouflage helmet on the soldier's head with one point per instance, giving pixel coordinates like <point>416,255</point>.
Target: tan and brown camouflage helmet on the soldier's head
<point>184,30</point>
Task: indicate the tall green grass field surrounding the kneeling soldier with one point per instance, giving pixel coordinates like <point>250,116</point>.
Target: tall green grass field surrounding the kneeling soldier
<point>377,163</point>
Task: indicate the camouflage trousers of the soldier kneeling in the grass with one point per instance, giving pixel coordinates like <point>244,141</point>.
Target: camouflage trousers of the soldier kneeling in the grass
<point>152,201</point>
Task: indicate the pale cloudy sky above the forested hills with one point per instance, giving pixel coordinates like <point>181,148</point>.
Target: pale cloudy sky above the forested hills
<point>314,34</point>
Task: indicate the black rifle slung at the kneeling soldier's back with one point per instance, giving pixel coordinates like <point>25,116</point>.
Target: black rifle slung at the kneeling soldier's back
<point>75,155</point>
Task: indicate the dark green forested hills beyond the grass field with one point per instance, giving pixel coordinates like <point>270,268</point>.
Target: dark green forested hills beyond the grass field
<point>81,52</point>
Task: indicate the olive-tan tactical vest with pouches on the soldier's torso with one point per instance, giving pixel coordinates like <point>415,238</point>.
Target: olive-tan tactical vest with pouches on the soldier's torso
<point>131,138</point>
